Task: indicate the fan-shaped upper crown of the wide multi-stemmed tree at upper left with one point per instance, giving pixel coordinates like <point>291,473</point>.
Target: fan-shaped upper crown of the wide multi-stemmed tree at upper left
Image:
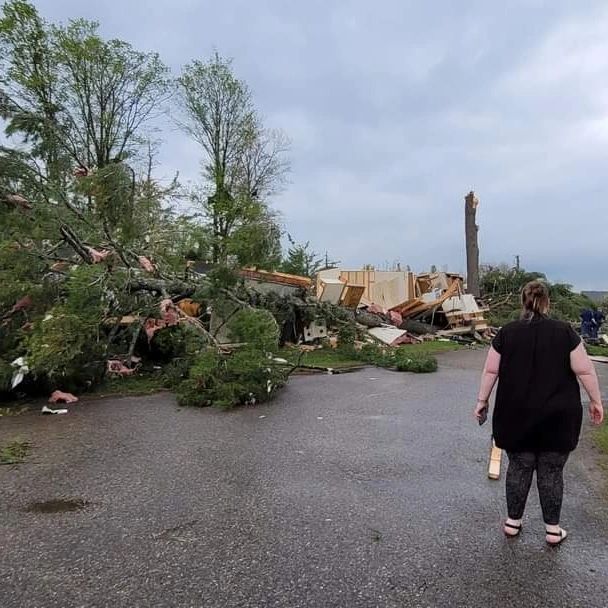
<point>108,92</point>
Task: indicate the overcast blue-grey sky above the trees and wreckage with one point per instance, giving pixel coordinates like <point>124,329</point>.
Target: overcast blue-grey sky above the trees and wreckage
<point>396,109</point>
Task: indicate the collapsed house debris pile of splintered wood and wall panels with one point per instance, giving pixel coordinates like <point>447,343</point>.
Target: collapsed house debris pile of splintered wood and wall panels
<point>388,308</point>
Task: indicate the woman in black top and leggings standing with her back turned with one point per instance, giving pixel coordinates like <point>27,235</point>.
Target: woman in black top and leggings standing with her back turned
<point>538,413</point>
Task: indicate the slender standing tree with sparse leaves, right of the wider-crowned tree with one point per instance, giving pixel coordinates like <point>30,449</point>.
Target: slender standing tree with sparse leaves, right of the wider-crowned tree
<point>244,163</point>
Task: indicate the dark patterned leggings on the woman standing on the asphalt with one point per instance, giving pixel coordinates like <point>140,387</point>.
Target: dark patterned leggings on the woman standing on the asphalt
<point>549,467</point>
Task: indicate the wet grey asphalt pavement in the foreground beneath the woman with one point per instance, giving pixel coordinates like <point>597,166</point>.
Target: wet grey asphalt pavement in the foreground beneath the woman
<point>360,490</point>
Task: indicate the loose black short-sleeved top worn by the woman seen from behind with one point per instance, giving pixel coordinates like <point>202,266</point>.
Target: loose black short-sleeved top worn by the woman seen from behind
<point>538,401</point>
